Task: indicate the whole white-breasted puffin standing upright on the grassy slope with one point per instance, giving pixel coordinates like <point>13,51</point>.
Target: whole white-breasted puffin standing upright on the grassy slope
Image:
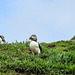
<point>34,45</point>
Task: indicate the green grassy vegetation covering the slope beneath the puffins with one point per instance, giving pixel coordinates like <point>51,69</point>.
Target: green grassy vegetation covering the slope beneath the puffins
<point>57,58</point>
